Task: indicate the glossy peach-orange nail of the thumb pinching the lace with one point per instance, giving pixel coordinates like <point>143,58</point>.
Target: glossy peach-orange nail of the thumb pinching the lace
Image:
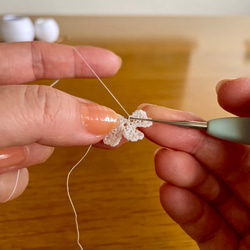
<point>97,119</point>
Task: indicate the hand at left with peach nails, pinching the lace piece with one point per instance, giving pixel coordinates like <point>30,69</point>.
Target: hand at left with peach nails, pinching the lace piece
<point>35,118</point>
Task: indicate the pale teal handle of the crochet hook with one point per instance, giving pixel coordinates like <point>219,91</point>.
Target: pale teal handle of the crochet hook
<point>236,129</point>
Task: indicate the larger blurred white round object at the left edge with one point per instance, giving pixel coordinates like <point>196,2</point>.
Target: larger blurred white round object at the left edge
<point>17,29</point>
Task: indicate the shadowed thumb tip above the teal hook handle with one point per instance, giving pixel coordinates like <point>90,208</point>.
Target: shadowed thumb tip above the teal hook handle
<point>234,96</point>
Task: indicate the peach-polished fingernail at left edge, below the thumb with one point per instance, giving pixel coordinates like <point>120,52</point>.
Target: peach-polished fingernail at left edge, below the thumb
<point>12,156</point>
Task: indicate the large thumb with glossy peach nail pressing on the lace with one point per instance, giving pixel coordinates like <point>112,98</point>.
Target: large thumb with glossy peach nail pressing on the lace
<point>51,117</point>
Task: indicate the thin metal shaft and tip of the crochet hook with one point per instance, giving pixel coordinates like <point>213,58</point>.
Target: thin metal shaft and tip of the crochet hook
<point>186,124</point>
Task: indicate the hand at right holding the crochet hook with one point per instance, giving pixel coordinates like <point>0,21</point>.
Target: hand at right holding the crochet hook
<point>206,187</point>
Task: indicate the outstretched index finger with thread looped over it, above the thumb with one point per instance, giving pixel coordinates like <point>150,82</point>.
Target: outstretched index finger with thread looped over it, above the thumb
<point>30,61</point>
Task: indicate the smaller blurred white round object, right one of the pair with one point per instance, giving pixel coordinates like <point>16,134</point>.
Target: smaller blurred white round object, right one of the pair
<point>47,29</point>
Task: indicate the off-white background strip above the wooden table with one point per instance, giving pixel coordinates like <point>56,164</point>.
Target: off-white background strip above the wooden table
<point>125,7</point>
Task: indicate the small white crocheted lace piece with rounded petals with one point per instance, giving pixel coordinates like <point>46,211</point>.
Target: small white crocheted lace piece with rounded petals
<point>128,128</point>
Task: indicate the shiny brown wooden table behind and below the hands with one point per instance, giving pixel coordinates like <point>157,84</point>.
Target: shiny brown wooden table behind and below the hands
<point>170,61</point>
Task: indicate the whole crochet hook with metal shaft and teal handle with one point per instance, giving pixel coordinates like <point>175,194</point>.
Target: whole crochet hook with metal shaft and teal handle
<point>235,129</point>
